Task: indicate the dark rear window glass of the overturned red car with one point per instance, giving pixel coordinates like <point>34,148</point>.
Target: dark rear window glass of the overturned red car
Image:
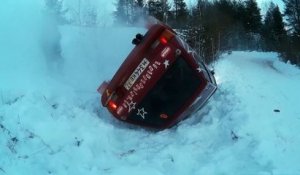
<point>175,87</point>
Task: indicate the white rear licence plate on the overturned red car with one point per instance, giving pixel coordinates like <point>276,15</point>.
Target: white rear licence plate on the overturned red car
<point>136,73</point>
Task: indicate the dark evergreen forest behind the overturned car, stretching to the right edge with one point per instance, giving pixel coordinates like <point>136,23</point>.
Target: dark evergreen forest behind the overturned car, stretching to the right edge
<point>215,27</point>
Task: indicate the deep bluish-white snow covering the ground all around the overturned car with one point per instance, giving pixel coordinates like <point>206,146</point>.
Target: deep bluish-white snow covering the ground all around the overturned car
<point>51,121</point>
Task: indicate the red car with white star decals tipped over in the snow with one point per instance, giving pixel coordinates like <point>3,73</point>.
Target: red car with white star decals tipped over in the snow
<point>161,82</point>
